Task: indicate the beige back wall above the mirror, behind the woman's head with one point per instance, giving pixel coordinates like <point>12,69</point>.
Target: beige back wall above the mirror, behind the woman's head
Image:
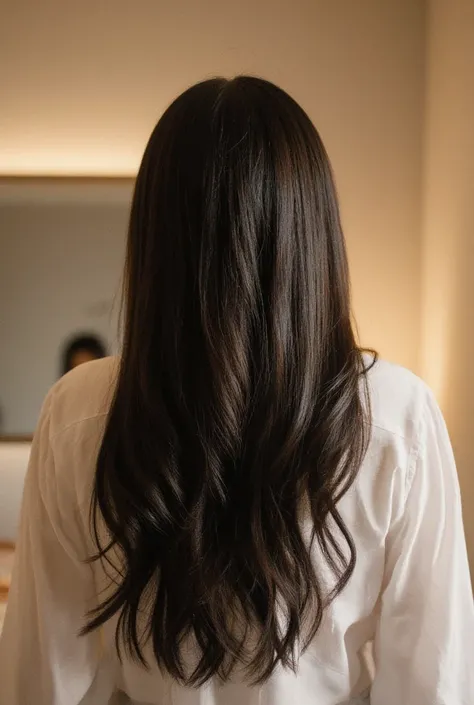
<point>83,83</point>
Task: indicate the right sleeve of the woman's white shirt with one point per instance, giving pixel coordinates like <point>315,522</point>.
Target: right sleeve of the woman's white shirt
<point>424,647</point>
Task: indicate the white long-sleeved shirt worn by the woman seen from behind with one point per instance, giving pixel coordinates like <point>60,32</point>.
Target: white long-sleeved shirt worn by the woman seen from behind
<point>410,592</point>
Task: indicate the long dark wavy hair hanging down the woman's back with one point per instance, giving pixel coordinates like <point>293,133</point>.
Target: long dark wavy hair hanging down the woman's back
<point>240,402</point>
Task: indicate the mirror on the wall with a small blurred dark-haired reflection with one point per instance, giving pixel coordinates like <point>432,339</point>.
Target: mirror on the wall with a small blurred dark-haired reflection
<point>62,243</point>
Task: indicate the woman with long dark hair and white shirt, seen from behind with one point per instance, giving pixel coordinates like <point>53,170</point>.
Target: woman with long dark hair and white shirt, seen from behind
<point>229,513</point>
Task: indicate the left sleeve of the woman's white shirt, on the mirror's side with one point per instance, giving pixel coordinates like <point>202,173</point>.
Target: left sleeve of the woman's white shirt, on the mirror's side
<point>43,660</point>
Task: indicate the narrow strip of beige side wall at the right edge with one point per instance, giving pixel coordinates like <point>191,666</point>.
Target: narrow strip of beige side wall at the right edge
<point>448,244</point>
